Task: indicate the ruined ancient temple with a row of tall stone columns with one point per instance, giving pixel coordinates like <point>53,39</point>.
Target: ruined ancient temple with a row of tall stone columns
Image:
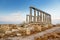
<point>38,16</point>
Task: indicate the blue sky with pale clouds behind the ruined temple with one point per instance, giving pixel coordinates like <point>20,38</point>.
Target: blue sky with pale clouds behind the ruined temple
<point>14,11</point>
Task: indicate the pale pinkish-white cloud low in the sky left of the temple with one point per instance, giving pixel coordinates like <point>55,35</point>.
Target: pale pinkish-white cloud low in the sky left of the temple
<point>15,17</point>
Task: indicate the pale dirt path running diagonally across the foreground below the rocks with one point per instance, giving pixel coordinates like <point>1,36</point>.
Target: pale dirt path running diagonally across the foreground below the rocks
<point>37,36</point>
